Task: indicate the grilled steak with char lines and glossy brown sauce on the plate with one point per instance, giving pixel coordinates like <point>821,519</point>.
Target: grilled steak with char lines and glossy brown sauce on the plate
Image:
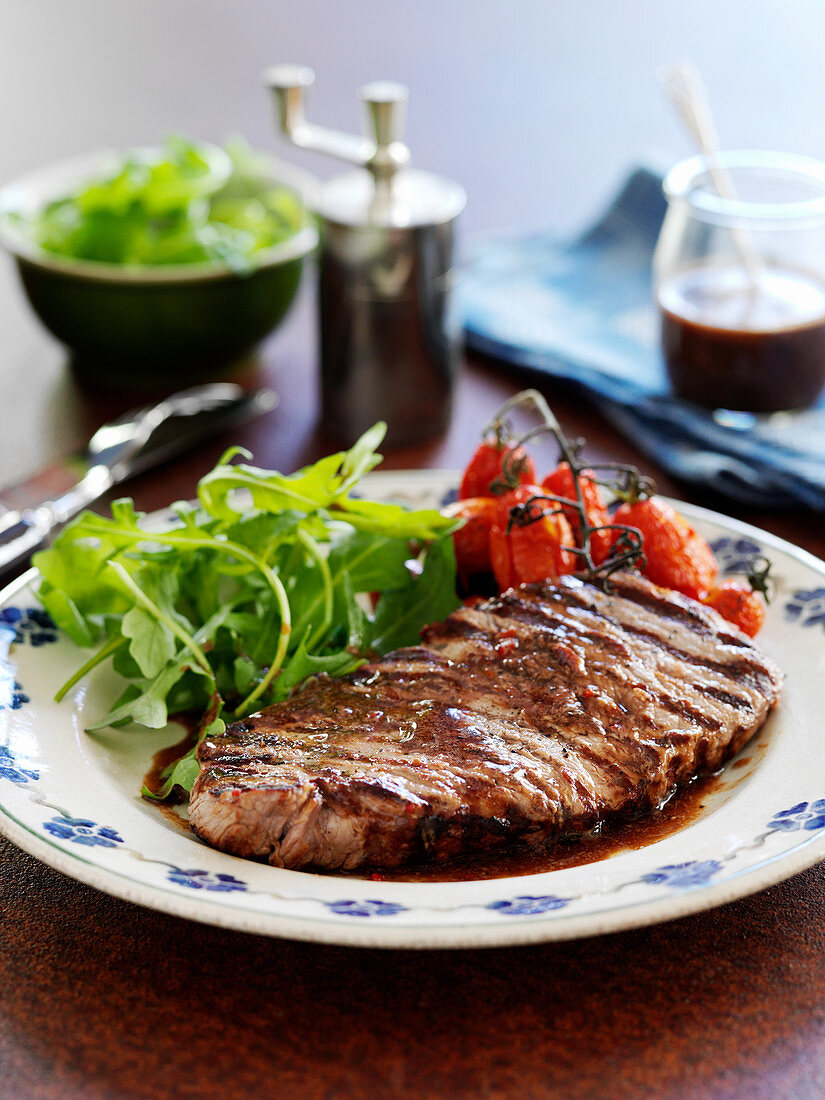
<point>538,712</point>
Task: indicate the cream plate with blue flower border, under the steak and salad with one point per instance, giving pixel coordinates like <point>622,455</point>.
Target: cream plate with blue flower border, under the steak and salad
<point>72,800</point>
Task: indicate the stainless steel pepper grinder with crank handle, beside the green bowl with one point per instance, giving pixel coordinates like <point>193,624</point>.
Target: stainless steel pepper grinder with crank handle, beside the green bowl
<point>389,347</point>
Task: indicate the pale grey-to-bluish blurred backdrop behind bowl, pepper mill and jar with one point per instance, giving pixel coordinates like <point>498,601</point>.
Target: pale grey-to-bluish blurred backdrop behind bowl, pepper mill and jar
<point>537,107</point>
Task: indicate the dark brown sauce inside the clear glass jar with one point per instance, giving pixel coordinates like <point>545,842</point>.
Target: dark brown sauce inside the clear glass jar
<point>732,342</point>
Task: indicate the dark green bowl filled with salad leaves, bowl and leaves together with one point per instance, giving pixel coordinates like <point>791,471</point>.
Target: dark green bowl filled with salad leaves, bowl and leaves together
<point>161,266</point>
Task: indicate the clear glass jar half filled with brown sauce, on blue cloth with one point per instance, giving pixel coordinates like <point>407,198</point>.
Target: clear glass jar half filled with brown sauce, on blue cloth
<point>740,279</point>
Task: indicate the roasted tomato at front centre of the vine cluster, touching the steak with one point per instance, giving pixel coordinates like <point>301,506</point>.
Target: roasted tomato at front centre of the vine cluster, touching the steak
<point>522,552</point>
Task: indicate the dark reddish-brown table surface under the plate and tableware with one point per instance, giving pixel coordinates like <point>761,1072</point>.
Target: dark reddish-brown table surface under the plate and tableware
<point>104,999</point>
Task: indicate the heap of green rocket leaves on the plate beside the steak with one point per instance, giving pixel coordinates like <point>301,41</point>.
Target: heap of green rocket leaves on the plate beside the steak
<point>250,592</point>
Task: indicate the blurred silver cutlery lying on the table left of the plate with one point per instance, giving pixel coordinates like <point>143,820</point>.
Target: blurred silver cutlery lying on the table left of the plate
<point>136,442</point>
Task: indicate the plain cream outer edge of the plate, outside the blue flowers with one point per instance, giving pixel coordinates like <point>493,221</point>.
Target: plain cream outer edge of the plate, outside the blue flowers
<point>540,929</point>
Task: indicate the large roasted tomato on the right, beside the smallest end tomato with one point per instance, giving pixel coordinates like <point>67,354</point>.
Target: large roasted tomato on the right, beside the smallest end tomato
<point>677,556</point>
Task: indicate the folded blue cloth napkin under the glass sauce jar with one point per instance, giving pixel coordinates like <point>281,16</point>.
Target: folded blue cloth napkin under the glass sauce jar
<point>582,311</point>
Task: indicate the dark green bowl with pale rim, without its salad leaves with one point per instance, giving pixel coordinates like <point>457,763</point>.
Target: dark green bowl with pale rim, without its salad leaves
<point>142,327</point>
